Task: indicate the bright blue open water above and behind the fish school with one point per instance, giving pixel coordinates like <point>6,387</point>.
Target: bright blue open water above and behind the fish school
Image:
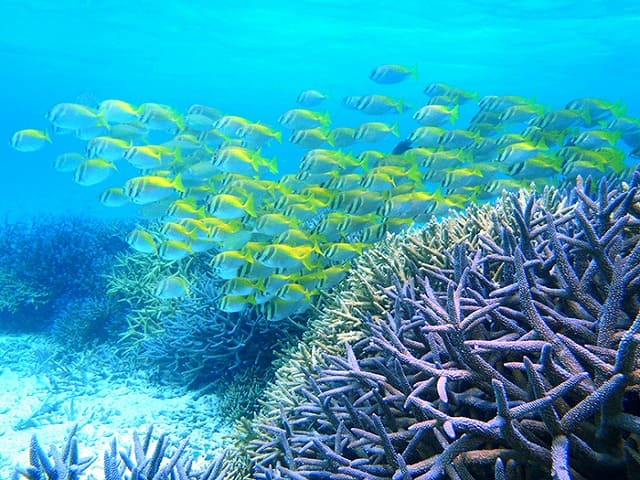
<point>252,59</point>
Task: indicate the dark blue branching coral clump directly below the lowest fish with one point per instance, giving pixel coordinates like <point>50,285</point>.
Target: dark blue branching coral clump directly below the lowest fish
<point>199,344</point>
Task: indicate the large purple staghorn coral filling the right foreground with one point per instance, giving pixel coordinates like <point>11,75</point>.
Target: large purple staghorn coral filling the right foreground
<point>514,357</point>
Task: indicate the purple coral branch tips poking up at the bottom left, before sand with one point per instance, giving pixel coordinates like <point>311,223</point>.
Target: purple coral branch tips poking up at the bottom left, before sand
<point>147,462</point>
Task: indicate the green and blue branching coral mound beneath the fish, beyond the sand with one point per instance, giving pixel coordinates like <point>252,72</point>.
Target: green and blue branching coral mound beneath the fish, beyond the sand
<point>190,341</point>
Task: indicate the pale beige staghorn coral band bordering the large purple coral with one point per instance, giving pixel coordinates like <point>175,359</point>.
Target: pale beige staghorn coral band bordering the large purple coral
<point>339,317</point>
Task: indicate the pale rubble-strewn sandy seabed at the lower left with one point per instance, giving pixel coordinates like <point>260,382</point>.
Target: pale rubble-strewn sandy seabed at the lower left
<point>38,399</point>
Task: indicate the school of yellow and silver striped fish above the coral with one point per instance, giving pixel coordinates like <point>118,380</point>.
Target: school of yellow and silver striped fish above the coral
<point>278,242</point>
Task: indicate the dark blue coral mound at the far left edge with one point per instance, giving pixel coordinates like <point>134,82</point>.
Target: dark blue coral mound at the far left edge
<point>47,262</point>
